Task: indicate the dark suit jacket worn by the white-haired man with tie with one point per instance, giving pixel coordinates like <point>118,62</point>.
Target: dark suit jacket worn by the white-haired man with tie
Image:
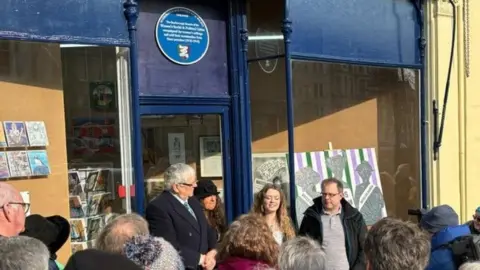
<point>169,219</point>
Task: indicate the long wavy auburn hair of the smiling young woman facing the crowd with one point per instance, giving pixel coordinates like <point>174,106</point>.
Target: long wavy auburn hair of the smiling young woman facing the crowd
<point>283,218</point>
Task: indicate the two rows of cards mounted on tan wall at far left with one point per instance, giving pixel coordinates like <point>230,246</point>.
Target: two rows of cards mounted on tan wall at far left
<point>23,151</point>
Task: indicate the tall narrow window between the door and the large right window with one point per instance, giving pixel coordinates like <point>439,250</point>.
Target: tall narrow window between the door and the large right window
<point>267,95</point>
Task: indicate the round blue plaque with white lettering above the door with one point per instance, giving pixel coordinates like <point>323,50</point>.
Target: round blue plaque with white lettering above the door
<point>182,36</point>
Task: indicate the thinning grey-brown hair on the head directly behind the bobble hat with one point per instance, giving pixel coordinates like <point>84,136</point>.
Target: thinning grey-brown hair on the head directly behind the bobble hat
<point>119,231</point>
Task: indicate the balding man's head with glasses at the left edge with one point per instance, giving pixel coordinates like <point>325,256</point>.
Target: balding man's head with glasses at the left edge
<point>12,211</point>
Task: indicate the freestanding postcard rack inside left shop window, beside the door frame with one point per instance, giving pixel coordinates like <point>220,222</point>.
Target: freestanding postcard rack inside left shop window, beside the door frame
<point>91,188</point>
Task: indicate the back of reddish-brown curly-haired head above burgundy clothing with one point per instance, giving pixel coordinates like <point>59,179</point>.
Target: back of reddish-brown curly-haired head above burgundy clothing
<point>249,237</point>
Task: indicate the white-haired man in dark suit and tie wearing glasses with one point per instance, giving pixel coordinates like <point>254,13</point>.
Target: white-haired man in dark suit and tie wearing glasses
<point>178,217</point>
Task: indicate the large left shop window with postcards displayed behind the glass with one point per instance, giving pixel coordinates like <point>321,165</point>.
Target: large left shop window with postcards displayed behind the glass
<point>66,133</point>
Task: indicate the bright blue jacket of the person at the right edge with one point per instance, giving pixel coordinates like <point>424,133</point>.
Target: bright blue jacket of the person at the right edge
<point>441,258</point>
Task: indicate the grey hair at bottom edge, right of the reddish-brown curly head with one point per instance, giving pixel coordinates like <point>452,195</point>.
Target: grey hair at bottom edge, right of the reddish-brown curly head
<point>301,253</point>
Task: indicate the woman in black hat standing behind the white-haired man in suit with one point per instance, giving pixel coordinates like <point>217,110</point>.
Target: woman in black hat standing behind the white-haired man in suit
<point>206,192</point>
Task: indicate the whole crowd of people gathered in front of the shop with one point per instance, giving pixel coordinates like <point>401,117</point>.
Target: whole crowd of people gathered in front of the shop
<point>185,228</point>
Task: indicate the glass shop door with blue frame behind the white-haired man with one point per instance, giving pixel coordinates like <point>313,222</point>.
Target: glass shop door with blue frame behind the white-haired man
<point>199,138</point>
